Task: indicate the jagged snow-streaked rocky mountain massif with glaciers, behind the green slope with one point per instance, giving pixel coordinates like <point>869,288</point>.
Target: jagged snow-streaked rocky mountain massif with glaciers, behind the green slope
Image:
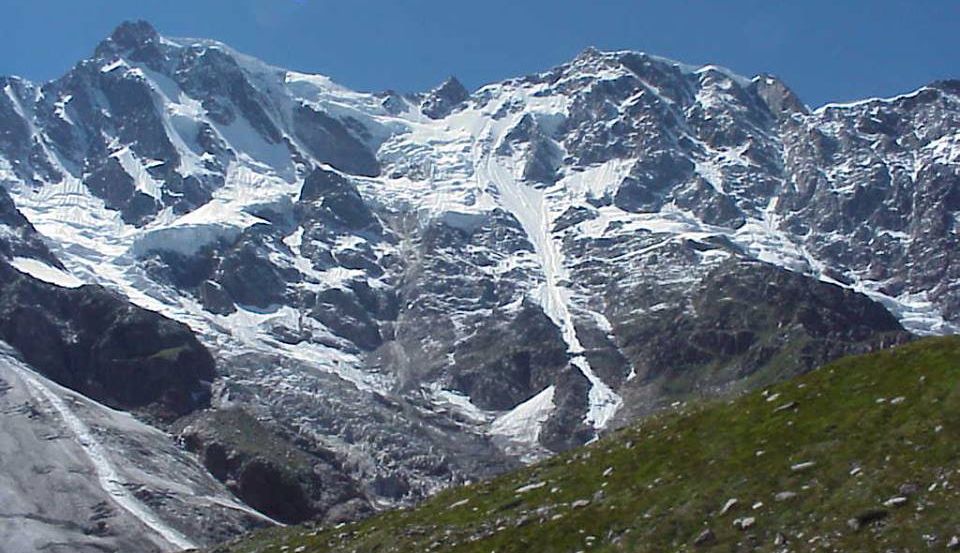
<point>401,292</point>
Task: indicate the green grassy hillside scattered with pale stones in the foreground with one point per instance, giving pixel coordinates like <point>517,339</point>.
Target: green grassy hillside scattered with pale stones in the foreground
<point>860,455</point>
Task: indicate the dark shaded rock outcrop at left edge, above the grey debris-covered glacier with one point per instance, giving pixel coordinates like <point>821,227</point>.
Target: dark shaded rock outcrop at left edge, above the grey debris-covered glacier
<point>97,343</point>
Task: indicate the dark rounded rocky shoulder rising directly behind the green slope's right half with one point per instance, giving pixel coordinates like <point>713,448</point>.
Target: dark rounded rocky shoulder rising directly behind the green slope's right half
<point>741,321</point>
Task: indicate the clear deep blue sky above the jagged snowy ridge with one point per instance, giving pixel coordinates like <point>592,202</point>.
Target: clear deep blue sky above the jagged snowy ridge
<point>827,50</point>
